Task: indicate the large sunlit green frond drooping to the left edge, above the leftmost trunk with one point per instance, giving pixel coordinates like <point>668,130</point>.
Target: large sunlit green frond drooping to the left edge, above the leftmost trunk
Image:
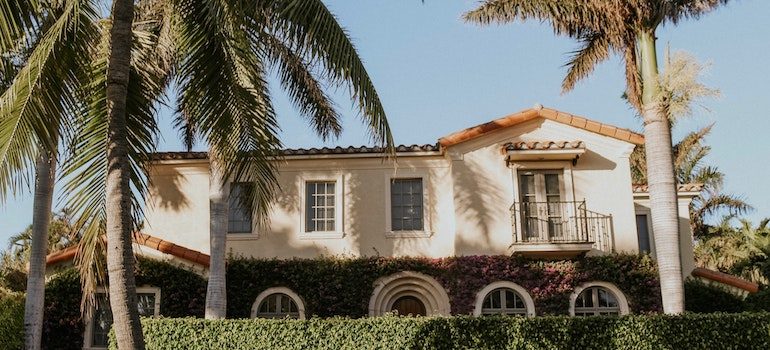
<point>42,92</point>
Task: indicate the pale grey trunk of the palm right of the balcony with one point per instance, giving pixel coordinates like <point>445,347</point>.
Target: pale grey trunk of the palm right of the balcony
<point>661,180</point>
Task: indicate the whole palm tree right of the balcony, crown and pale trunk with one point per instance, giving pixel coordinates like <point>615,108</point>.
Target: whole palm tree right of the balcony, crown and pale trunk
<point>627,28</point>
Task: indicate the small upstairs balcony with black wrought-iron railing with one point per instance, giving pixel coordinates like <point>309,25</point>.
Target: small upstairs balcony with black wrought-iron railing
<point>559,229</point>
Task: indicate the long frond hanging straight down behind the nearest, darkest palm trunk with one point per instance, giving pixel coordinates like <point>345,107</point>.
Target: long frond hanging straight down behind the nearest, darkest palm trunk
<point>85,171</point>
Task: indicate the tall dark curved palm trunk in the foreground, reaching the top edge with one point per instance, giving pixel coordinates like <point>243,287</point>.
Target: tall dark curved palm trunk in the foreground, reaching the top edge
<point>120,256</point>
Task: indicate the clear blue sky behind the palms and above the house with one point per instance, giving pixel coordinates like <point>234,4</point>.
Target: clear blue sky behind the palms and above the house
<point>436,75</point>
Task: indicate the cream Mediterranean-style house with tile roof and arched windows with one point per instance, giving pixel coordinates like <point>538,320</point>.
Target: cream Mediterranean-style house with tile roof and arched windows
<point>540,183</point>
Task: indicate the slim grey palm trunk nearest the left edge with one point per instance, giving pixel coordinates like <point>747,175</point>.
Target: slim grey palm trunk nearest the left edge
<point>41,218</point>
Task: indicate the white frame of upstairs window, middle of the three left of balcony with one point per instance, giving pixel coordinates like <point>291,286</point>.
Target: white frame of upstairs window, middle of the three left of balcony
<point>339,202</point>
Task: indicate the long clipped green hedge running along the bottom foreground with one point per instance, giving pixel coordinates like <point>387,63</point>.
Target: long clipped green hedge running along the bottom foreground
<point>690,331</point>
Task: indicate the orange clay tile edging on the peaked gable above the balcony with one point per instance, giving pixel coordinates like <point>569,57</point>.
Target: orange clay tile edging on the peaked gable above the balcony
<point>542,112</point>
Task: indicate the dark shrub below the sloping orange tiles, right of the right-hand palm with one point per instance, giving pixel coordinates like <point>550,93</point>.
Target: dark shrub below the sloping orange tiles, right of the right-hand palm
<point>703,298</point>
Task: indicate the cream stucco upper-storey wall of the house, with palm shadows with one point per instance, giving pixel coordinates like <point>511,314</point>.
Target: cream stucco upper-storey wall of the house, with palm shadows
<point>469,191</point>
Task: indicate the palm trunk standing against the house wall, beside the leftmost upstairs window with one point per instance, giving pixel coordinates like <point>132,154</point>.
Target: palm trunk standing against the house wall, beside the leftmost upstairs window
<point>216,294</point>
